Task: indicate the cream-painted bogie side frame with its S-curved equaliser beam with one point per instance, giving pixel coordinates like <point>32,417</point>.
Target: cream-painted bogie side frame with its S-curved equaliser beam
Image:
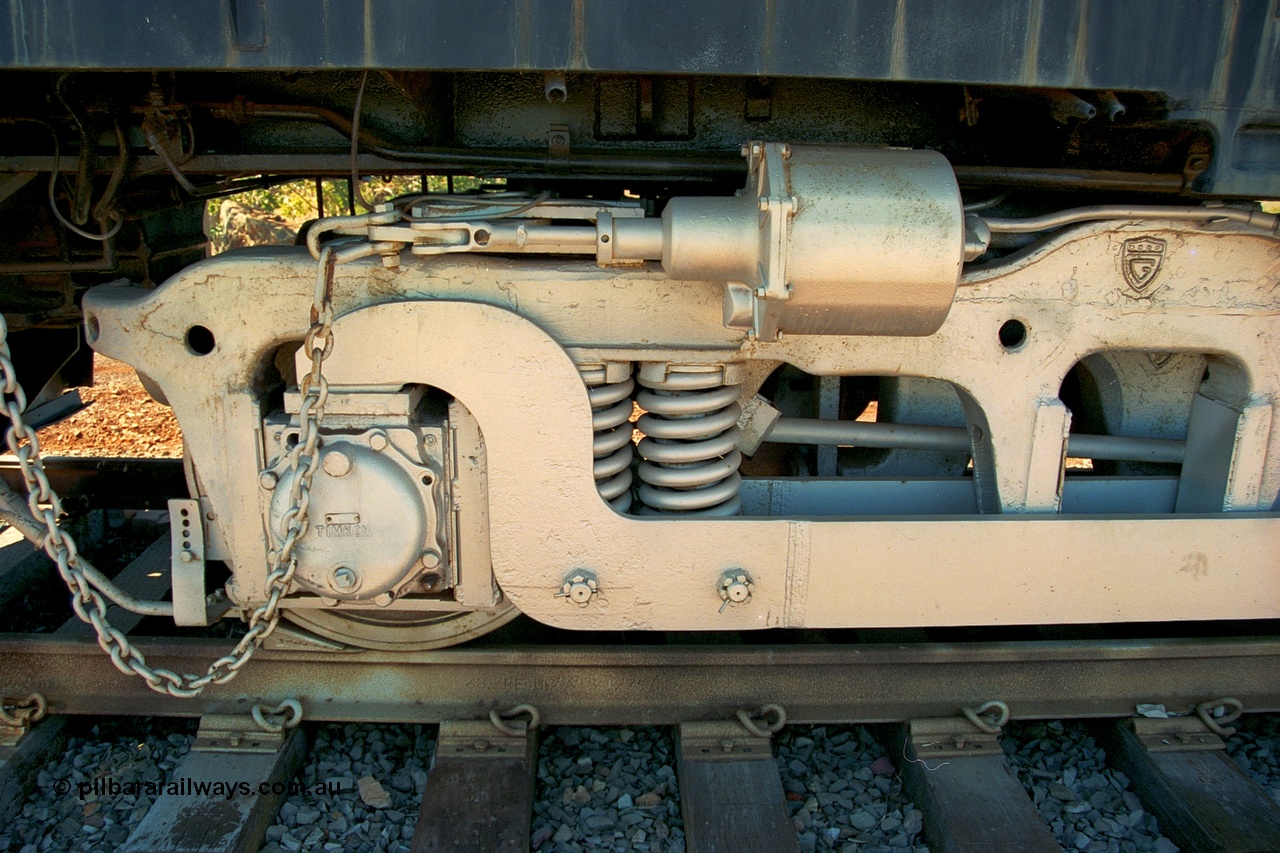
<point>508,339</point>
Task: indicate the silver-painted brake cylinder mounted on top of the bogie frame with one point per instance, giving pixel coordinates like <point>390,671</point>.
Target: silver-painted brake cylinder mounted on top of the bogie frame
<point>872,239</point>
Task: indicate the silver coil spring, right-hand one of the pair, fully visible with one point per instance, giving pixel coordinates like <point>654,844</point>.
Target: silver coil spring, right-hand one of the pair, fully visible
<point>691,446</point>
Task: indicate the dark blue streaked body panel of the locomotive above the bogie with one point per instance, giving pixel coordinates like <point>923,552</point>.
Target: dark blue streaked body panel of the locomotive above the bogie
<point>1218,63</point>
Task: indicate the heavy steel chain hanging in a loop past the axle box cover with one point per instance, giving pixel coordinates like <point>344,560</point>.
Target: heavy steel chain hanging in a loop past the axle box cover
<point>282,560</point>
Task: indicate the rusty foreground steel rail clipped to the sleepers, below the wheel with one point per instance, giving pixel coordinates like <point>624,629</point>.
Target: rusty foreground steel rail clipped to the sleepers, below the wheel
<point>656,685</point>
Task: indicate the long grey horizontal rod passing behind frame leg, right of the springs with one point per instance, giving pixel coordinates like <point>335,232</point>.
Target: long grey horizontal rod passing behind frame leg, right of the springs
<point>856,434</point>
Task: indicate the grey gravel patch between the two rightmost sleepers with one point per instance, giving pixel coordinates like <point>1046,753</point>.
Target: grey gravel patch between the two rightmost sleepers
<point>1087,806</point>
